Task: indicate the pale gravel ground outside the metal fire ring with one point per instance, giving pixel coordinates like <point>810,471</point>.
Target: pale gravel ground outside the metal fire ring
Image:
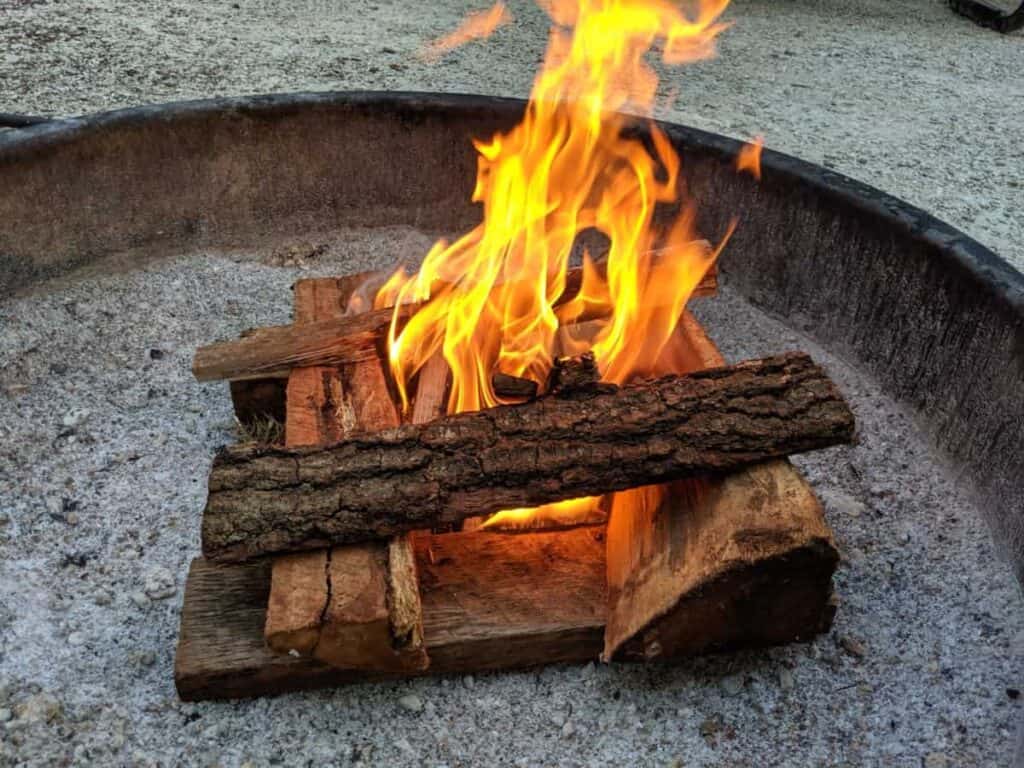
<point>900,94</point>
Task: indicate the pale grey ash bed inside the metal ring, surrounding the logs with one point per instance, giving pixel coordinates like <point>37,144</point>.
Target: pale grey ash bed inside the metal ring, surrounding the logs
<point>106,442</point>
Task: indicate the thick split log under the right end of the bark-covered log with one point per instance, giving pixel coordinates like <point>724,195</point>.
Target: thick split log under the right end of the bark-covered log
<point>742,561</point>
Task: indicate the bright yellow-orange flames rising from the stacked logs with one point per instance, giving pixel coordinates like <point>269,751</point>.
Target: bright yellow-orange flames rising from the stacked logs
<point>489,301</point>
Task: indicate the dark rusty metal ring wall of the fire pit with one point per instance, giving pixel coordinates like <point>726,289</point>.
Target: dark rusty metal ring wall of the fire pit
<point>932,317</point>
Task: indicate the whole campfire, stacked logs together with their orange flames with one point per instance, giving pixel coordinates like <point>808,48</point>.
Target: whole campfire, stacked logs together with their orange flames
<point>527,451</point>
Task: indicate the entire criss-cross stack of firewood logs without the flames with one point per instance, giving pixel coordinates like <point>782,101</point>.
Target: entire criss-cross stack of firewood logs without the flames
<point>343,554</point>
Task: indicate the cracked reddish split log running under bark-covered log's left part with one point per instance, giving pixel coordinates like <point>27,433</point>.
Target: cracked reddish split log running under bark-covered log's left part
<point>356,607</point>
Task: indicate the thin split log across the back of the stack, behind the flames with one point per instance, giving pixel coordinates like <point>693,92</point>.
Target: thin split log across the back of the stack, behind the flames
<point>271,353</point>
